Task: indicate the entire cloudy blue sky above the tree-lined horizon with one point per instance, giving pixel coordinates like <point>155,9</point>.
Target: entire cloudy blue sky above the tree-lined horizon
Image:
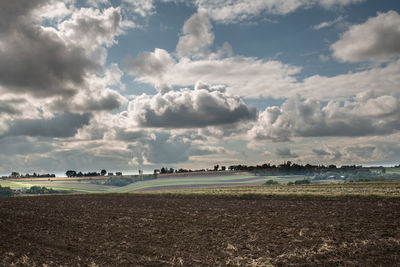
<point>139,84</point>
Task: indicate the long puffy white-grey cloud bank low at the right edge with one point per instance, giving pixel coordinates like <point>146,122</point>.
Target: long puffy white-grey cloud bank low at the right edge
<point>365,116</point>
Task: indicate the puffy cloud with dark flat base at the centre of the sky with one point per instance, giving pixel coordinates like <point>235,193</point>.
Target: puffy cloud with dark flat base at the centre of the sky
<point>189,108</point>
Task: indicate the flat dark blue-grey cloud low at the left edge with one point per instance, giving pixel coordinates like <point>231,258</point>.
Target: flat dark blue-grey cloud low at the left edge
<point>61,125</point>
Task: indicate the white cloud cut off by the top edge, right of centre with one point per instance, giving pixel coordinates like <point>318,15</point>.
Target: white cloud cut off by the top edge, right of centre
<point>242,10</point>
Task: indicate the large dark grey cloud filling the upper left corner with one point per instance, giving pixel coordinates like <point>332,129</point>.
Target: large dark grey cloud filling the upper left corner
<point>34,60</point>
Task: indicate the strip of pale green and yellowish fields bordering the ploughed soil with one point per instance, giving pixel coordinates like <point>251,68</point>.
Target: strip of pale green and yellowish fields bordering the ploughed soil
<point>242,183</point>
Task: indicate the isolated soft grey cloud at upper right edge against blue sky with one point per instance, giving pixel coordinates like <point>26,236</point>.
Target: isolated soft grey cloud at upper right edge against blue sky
<point>378,39</point>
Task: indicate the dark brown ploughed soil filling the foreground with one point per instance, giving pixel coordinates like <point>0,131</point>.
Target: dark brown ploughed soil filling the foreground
<point>159,230</point>
